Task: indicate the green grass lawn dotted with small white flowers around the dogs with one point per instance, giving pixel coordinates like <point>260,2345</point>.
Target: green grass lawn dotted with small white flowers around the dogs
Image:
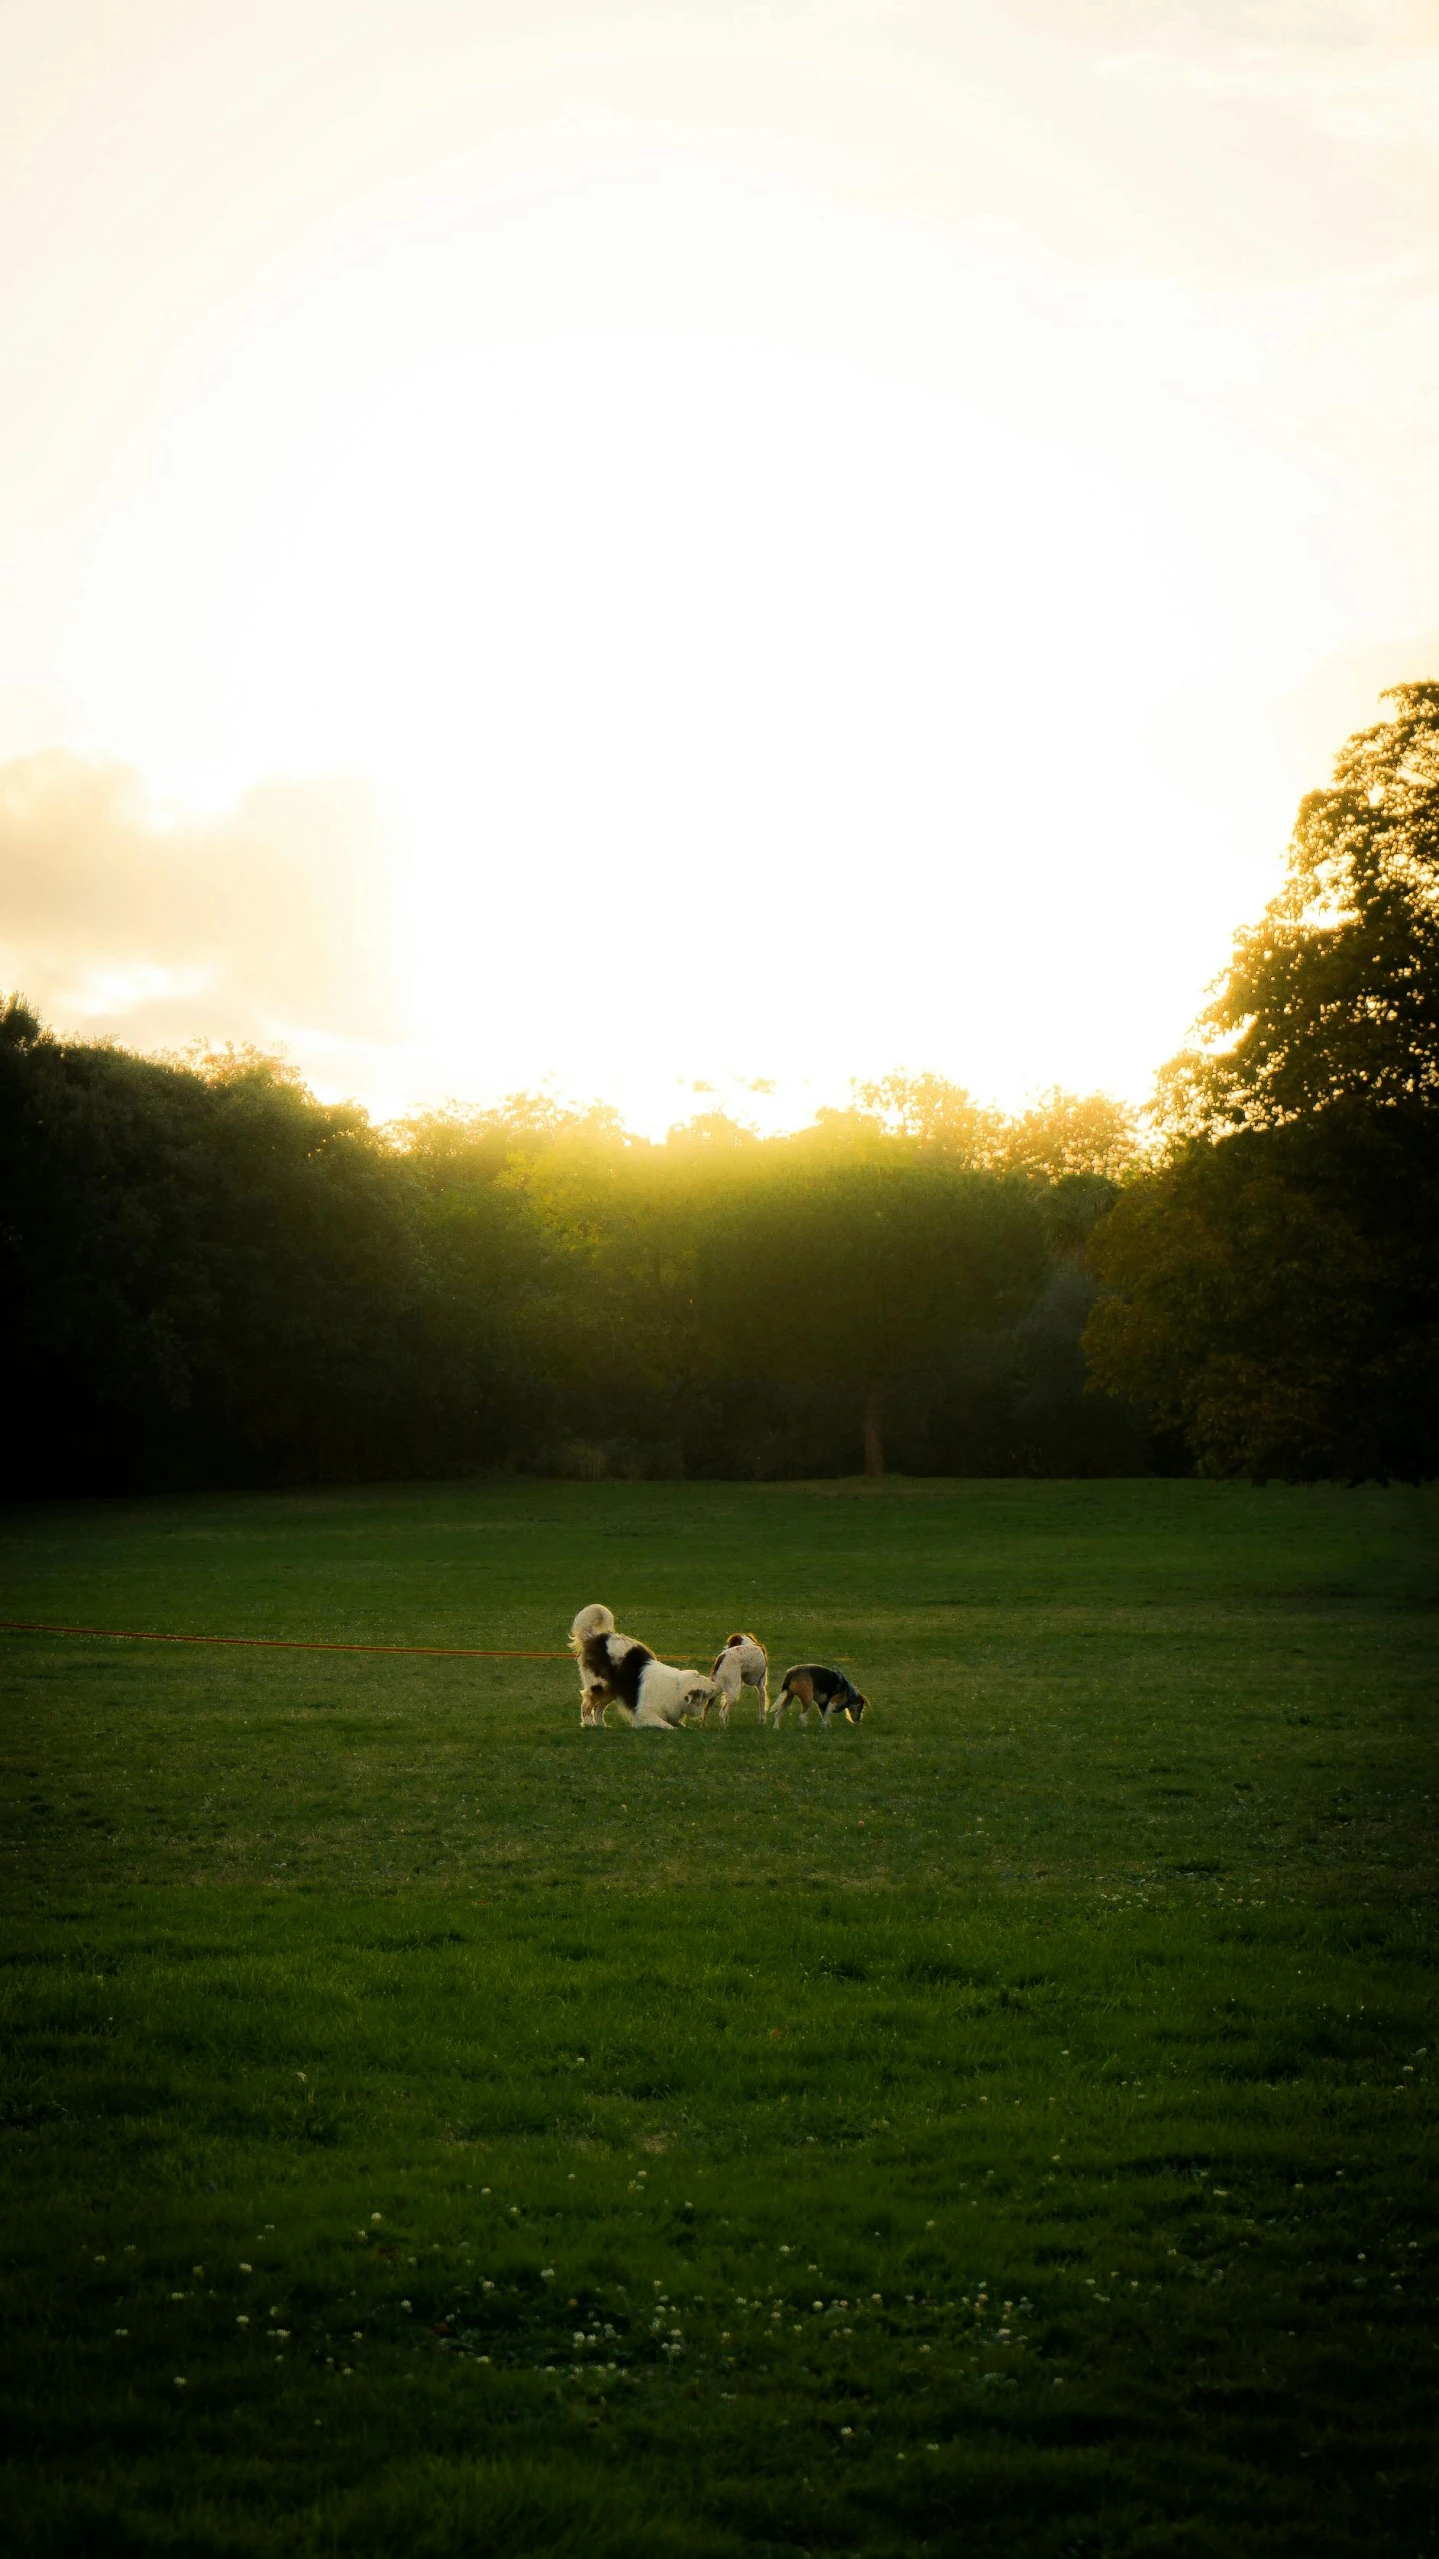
<point>1002,2128</point>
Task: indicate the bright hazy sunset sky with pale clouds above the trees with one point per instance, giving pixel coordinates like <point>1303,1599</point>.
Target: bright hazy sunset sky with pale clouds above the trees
<point>690,554</point>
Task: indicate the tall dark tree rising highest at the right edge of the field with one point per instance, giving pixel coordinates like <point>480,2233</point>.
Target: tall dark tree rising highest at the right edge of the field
<point>1274,1291</point>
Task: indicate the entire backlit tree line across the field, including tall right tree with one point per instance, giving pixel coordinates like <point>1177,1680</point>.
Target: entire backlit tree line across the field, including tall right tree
<point>211,1278</point>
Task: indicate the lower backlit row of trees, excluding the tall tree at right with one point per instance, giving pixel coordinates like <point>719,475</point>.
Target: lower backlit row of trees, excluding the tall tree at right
<point>211,1278</point>
